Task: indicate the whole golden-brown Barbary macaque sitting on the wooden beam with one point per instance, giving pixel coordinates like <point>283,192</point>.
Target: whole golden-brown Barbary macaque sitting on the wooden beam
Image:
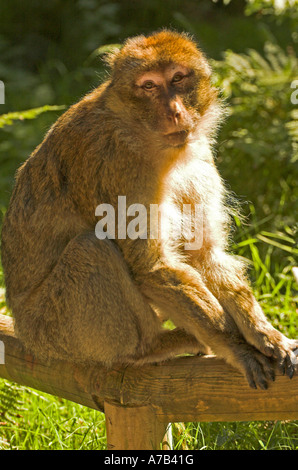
<point>144,136</point>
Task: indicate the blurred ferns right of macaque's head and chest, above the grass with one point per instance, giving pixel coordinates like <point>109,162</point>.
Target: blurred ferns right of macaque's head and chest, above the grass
<point>258,149</point>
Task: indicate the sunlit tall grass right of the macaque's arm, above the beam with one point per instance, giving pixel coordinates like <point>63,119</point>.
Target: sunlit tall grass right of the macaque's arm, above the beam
<point>274,283</point>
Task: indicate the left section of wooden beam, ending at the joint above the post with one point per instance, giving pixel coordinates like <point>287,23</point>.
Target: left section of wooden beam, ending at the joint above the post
<point>75,382</point>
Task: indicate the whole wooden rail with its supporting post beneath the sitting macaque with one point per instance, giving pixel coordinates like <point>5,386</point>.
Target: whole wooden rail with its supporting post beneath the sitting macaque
<point>139,402</point>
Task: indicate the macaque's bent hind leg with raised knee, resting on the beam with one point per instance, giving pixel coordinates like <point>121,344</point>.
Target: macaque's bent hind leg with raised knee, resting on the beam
<point>89,309</point>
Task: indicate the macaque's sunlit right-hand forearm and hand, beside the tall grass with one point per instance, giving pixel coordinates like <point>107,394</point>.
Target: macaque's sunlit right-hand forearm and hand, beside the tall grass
<point>231,288</point>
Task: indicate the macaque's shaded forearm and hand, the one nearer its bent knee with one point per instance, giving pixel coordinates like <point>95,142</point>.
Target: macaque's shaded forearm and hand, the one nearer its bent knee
<point>187,301</point>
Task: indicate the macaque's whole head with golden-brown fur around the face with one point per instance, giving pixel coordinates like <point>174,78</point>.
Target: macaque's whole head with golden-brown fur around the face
<point>160,88</point>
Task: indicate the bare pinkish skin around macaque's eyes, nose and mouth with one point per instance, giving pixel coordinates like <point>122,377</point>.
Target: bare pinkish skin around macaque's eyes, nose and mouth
<point>166,86</point>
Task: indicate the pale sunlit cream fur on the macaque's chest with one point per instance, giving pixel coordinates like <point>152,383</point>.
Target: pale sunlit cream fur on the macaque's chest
<point>193,208</point>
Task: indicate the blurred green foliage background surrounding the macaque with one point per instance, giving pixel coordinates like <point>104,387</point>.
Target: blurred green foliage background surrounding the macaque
<point>50,57</point>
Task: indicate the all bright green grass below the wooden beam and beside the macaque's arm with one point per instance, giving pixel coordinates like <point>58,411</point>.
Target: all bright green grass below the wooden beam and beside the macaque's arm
<point>33,420</point>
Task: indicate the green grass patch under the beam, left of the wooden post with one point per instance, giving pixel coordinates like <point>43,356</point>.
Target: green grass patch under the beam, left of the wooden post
<point>35,421</point>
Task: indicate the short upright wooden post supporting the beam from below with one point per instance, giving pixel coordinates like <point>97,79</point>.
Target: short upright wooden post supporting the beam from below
<point>134,428</point>
